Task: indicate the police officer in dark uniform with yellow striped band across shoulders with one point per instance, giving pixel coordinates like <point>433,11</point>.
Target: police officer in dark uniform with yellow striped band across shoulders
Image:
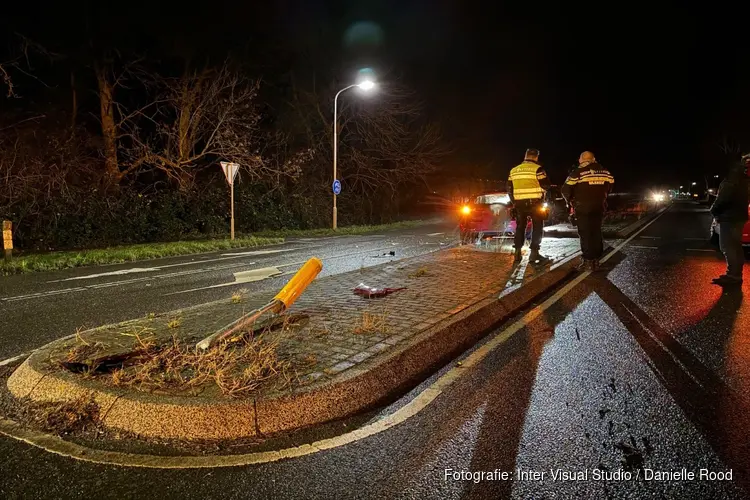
<point>586,189</point>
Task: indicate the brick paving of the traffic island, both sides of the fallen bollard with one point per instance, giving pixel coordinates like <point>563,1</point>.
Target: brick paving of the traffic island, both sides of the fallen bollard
<point>342,329</point>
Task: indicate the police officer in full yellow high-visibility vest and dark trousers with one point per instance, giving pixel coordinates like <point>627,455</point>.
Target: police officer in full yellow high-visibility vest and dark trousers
<point>527,186</point>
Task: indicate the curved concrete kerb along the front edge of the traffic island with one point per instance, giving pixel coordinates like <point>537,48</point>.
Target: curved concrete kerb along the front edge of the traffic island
<point>361,388</point>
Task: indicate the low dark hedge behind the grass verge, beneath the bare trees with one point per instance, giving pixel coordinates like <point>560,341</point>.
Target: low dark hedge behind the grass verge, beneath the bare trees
<point>87,218</point>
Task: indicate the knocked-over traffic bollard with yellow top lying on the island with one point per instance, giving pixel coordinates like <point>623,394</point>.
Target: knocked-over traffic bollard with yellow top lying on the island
<point>280,303</point>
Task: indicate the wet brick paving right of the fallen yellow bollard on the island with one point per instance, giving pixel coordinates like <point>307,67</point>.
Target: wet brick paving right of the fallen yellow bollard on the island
<point>346,329</point>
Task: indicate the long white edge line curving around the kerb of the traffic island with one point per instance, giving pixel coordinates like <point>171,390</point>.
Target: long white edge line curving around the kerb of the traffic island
<point>68,449</point>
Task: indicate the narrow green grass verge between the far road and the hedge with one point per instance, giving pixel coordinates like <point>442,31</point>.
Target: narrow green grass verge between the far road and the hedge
<point>131,253</point>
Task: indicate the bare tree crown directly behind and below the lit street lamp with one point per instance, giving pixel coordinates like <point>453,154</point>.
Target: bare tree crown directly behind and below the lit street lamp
<point>384,139</point>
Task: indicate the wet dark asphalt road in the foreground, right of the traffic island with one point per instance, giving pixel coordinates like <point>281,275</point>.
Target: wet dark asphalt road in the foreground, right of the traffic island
<point>645,366</point>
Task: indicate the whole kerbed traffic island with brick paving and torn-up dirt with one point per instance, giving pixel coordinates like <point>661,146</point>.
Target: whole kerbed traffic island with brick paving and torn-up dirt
<point>333,355</point>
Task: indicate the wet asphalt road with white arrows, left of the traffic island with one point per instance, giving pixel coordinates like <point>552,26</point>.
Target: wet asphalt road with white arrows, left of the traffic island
<point>40,307</point>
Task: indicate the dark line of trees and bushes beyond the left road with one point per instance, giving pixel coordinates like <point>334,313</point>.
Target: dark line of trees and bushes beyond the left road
<point>102,144</point>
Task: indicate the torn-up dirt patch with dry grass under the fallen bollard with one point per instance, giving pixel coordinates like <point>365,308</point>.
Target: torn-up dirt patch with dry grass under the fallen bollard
<point>140,359</point>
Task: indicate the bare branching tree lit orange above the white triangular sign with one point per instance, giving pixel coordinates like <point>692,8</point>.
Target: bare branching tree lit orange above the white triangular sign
<point>195,121</point>
